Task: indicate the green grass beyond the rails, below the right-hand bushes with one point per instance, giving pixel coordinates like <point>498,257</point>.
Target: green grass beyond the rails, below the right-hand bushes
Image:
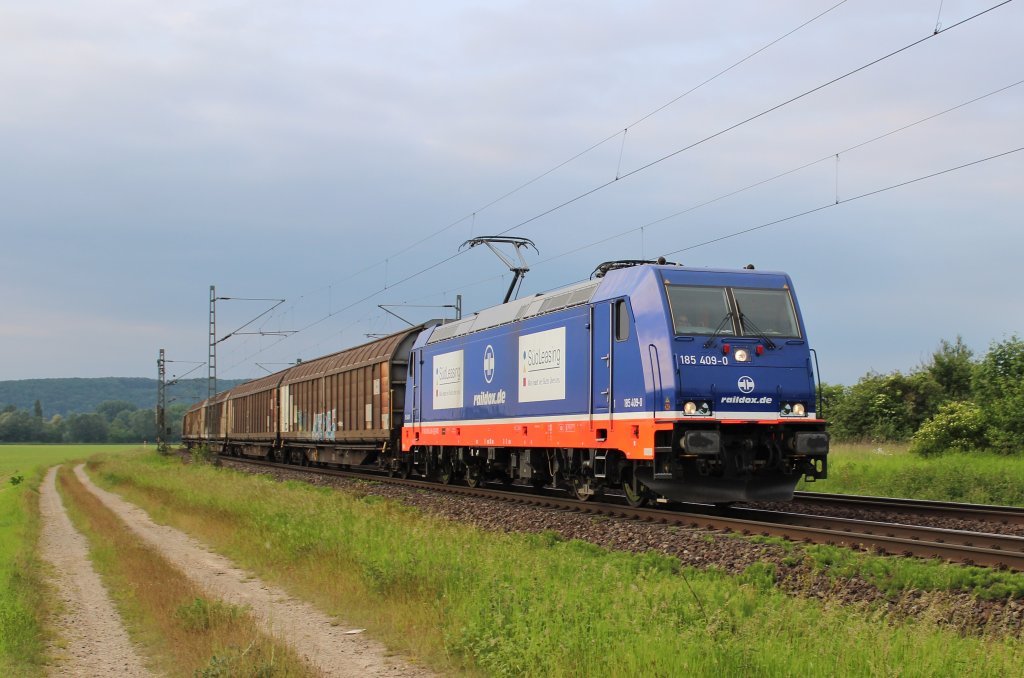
<point>889,471</point>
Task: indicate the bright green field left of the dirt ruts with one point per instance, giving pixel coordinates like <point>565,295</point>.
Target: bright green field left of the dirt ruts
<point>23,605</point>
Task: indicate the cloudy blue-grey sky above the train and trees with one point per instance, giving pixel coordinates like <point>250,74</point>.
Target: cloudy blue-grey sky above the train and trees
<point>337,156</point>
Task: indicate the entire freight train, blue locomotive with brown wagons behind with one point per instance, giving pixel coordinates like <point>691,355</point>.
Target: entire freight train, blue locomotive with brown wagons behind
<point>651,380</point>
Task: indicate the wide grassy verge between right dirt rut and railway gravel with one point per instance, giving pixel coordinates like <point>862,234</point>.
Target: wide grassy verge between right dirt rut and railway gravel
<point>464,600</point>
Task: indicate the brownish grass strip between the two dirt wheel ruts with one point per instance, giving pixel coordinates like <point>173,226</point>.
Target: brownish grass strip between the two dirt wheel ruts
<point>182,632</point>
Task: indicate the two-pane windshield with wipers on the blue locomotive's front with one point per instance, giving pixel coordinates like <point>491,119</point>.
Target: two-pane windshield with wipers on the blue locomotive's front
<point>732,312</point>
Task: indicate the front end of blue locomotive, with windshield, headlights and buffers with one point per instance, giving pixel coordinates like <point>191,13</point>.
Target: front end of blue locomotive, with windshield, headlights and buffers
<point>744,402</point>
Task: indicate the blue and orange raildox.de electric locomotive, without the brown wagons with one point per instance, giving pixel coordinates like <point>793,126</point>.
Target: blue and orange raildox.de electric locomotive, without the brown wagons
<point>654,379</point>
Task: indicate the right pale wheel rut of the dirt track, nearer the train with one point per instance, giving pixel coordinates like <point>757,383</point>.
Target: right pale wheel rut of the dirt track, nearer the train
<point>321,640</point>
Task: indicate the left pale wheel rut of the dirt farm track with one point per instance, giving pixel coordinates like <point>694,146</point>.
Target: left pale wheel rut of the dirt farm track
<point>97,642</point>
